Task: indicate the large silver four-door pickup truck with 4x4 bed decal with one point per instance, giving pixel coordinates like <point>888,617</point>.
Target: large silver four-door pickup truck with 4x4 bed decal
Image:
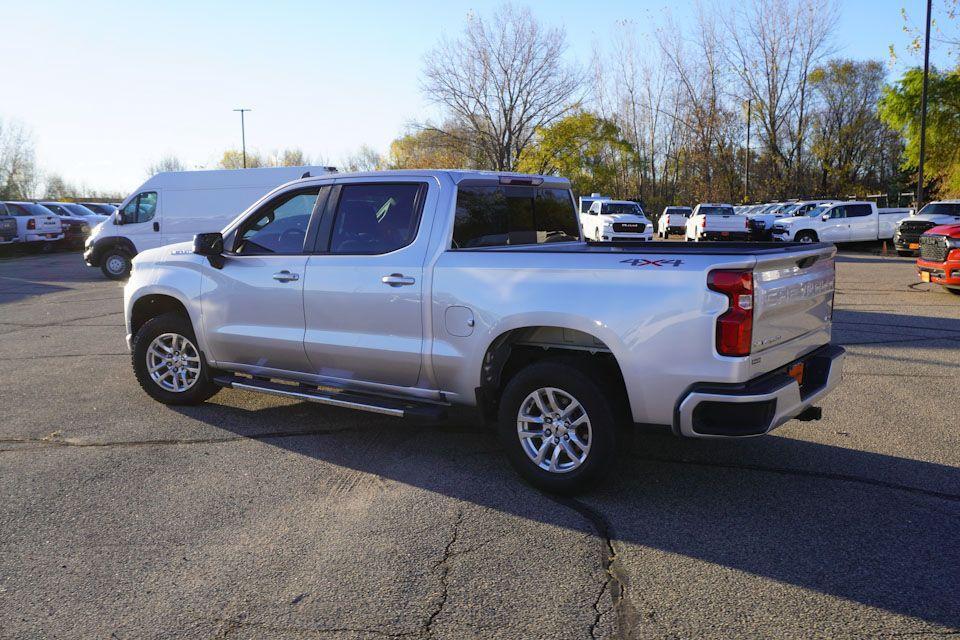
<point>404,293</point>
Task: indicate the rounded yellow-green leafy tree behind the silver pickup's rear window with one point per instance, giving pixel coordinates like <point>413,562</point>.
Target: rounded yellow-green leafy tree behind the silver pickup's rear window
<point>589,150</point>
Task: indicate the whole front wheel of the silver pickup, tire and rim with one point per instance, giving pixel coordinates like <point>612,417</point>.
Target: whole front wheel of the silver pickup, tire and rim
<point>168,363</point>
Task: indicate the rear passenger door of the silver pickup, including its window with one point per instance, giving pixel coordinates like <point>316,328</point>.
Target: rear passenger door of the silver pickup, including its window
<point>364,285</point>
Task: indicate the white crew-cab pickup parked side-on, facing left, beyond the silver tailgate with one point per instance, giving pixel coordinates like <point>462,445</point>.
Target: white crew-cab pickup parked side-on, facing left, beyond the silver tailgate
<point>840,222</point>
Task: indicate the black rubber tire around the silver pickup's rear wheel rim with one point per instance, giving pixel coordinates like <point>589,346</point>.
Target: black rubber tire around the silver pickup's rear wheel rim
<point>606,417</point>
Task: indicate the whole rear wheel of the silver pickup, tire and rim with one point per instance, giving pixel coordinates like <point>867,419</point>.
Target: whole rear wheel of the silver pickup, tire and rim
<point>558,426</point>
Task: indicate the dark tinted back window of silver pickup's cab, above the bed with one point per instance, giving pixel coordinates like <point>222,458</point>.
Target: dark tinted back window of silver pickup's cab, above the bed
<point>509,215</point>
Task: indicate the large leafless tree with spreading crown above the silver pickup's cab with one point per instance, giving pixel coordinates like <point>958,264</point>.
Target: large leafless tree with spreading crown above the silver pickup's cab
<point>502,80</point>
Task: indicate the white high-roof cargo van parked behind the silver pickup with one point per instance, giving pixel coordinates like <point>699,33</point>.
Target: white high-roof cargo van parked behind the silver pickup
<point>174,206</point>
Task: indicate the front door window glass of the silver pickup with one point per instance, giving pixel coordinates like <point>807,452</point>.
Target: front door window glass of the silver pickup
<point>280,226</point>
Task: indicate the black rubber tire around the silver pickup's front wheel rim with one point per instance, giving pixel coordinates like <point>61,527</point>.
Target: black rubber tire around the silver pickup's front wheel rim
<point>203,389</point>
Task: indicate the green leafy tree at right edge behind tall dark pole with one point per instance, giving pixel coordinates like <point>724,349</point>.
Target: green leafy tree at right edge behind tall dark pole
<point>900,109</point>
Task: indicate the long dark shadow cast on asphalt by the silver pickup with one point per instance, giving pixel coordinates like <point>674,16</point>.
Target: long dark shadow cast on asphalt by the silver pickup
<point>874,529</point>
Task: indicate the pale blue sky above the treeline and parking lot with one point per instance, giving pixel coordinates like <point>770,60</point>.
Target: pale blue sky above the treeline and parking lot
<point>109,87</point>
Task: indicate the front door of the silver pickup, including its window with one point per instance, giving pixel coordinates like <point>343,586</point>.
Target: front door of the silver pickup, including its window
<point>253,305</point>
